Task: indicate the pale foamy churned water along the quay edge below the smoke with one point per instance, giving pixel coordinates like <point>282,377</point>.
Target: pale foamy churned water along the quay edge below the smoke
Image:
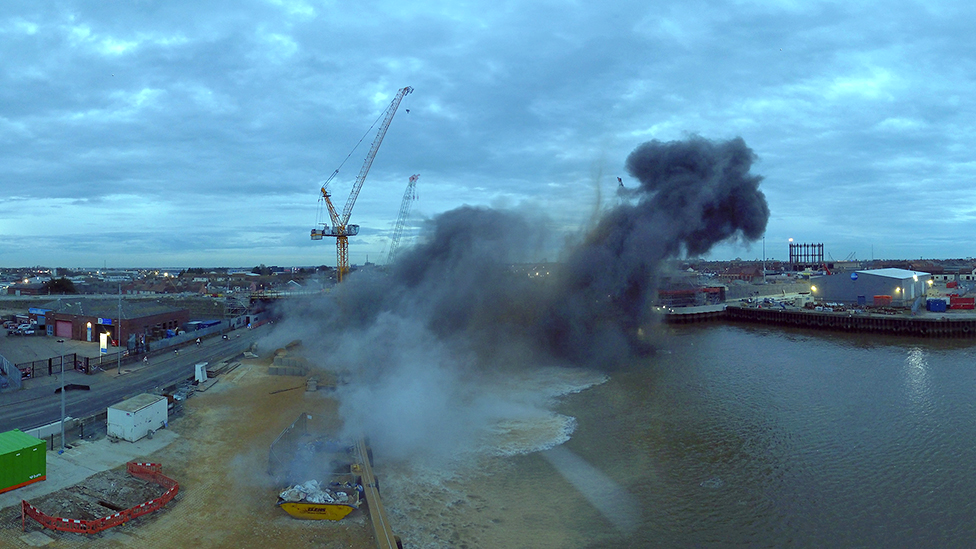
<point>446,505</point>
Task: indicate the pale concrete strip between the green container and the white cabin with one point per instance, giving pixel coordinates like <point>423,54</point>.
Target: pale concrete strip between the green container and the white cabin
<point>83,460</point>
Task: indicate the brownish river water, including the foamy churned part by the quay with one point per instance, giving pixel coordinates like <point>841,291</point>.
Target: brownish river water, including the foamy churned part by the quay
<point>732,435</point>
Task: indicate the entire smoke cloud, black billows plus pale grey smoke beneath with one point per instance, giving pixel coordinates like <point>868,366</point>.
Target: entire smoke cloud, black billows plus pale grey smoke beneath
<point>425,344</point>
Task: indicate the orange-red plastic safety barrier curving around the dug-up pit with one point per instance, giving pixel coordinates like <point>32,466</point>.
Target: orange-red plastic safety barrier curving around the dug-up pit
<point>150,472</point>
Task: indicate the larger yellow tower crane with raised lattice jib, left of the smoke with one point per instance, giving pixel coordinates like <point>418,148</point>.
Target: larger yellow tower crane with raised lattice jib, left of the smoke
<point>340,227</point>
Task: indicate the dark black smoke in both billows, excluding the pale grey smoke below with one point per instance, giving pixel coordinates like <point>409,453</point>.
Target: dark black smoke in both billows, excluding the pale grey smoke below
<point>459,282</point>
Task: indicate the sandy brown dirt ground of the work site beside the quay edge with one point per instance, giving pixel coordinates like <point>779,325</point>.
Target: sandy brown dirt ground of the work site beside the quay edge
<point>226,497</point>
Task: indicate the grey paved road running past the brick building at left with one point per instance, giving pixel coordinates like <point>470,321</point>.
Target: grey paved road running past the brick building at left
<point>38,404</point>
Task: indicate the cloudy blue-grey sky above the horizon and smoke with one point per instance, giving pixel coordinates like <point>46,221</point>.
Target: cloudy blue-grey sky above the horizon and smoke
<point>196,134</point>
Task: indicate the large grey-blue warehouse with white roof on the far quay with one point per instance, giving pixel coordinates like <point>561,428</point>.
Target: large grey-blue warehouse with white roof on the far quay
<point>897,287</point>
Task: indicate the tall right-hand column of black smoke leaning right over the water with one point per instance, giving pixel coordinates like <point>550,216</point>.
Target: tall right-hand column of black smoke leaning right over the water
<point>693,194</point>
